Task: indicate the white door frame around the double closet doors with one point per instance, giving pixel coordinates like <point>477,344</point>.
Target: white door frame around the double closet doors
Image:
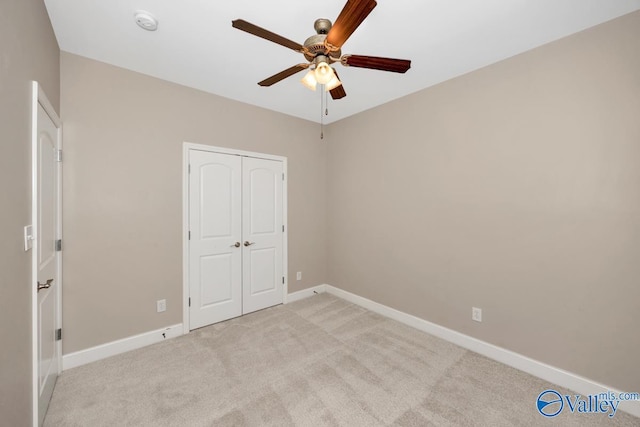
<point>186,148</point>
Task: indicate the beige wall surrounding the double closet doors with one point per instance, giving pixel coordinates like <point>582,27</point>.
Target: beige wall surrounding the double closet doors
<point>123,136</point>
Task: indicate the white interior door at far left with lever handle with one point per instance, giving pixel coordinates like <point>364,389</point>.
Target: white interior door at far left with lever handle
<point>46,258</point>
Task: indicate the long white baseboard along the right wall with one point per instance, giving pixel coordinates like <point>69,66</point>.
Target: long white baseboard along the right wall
<point>541,370</point>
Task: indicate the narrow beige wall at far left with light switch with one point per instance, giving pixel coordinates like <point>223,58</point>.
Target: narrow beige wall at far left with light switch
<point>28,51</point>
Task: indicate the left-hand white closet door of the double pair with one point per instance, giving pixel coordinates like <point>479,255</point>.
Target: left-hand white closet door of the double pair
<point>215,254</point>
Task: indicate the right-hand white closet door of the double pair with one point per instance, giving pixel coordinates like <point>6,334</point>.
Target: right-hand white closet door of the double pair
<point>262,277</point>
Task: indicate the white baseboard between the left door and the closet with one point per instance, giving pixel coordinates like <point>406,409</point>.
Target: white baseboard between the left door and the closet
<point>109,349</point>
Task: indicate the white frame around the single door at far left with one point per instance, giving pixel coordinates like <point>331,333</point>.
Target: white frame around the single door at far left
<point>39,97</point>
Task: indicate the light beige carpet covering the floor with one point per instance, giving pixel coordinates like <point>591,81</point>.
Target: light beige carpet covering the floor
<point>319,361</point>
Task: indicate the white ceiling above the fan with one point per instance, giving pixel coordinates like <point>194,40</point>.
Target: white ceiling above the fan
<point>196,46</point>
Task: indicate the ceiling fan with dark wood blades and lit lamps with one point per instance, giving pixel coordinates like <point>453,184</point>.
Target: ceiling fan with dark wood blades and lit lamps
<point>324,48</point>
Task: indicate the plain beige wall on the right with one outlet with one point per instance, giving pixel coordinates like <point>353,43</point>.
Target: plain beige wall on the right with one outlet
<point>515,188</point>
